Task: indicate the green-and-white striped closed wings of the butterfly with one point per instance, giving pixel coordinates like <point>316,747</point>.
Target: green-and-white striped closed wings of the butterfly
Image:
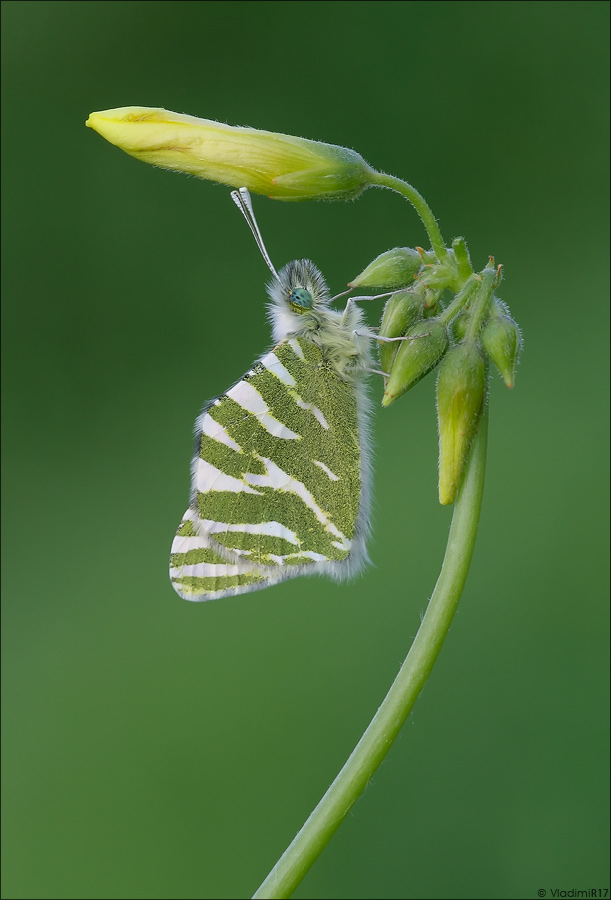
<point>276,479</point>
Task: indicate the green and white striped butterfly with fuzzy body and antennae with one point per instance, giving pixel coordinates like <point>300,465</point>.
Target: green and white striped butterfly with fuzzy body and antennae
<point>281,470</point>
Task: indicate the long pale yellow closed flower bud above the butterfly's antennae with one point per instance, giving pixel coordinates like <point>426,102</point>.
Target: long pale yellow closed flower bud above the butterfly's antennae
<point>278,165</point>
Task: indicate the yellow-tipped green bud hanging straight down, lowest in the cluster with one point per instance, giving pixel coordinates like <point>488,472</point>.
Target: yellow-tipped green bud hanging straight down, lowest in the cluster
<point>461,391</point>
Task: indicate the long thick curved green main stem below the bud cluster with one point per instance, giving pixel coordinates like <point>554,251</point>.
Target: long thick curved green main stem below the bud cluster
<point>386,724</point>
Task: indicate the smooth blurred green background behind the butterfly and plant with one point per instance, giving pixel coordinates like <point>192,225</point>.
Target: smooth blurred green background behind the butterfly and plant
<point>155,748</point>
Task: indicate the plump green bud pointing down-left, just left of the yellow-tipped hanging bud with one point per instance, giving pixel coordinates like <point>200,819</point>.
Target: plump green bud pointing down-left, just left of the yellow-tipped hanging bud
<point>416,357</point>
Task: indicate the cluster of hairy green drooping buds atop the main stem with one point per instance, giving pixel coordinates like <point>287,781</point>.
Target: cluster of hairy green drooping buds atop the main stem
<point>418,334</point>
